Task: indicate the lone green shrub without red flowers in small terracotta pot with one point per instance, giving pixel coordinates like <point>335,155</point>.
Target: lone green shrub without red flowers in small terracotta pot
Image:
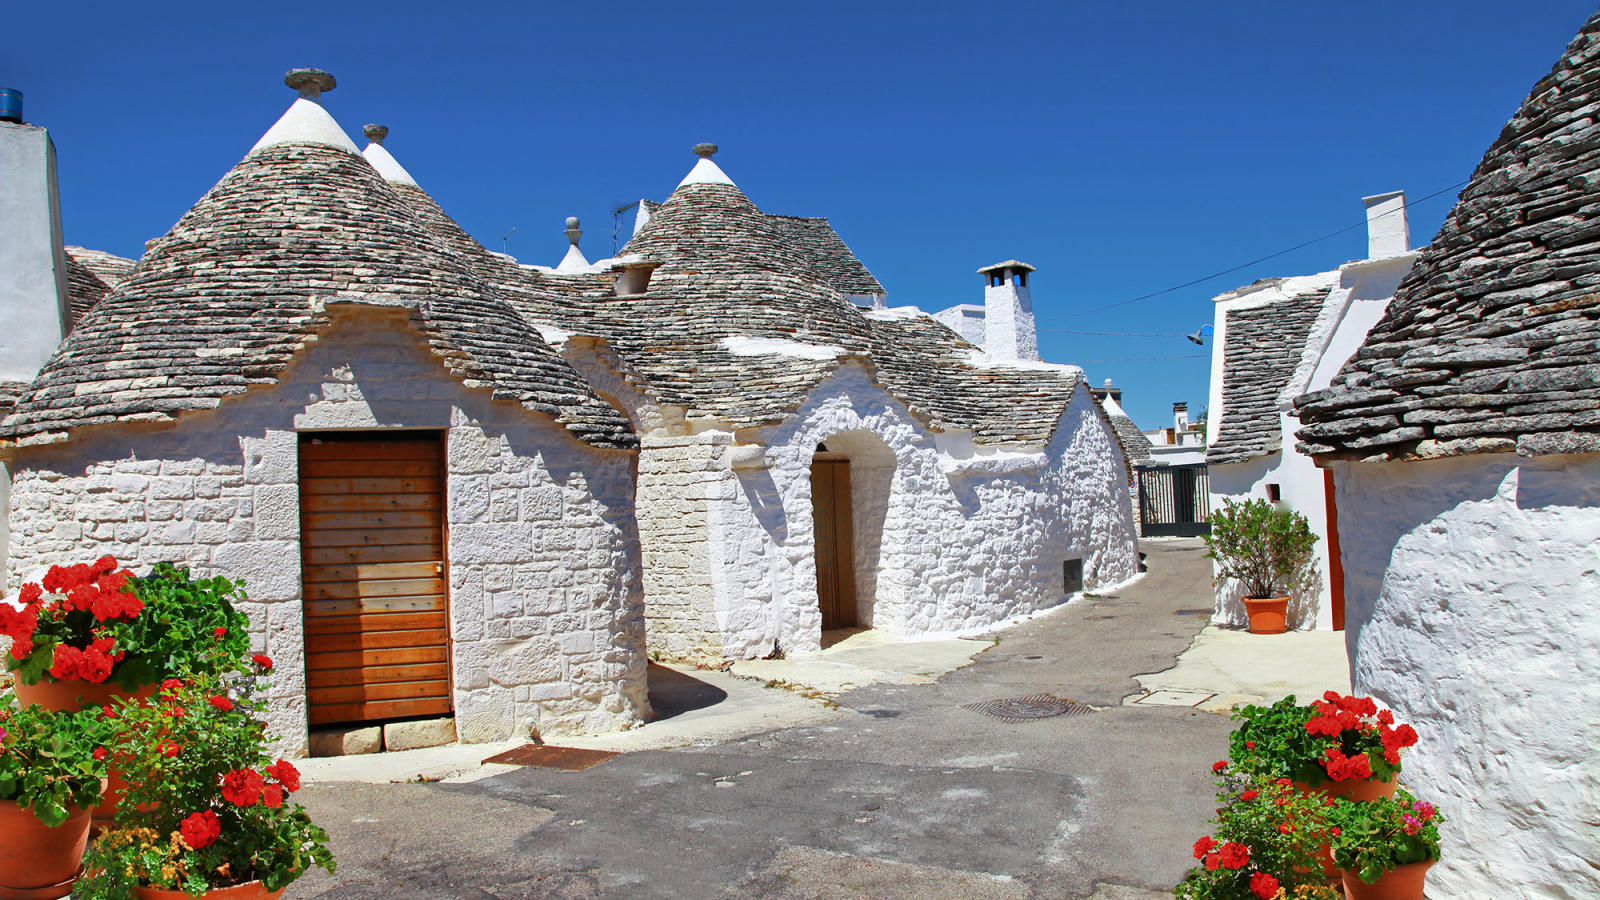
<point>1268,552</point>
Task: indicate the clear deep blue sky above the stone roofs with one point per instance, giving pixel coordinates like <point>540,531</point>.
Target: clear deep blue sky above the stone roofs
<point>1118,150</point>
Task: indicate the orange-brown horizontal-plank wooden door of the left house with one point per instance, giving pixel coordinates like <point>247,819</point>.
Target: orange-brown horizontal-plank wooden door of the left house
<point>374,577</point>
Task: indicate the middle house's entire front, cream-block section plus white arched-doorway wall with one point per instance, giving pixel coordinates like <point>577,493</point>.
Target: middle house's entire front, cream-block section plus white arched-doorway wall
<point>948,539</point>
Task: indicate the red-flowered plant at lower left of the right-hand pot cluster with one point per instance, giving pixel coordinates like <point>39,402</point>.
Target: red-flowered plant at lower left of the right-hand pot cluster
<point>1265,845</point>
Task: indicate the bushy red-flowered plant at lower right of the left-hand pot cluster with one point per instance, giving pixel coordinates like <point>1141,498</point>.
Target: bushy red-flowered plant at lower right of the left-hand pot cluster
<point>212,813</point>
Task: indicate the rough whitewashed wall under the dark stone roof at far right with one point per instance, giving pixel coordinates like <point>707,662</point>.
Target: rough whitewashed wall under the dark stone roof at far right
<point>1473,609</point>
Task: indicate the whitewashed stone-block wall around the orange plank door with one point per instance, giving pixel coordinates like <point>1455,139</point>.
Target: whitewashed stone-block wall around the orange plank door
<point>545,597</point>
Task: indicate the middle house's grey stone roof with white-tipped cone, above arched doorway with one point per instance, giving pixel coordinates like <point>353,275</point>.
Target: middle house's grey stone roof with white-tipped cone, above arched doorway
<point>729,273</point>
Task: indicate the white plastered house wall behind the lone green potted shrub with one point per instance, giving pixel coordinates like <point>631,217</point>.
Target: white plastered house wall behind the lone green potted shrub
<point>1361,294</point>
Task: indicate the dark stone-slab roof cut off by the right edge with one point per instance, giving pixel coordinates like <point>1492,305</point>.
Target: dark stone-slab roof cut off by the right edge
<point>1494,337</point>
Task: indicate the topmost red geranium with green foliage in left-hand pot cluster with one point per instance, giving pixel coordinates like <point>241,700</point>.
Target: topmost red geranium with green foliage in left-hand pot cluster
<point>87,633</point>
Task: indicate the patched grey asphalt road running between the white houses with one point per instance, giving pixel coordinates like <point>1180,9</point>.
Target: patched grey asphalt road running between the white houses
<point>908,795</point>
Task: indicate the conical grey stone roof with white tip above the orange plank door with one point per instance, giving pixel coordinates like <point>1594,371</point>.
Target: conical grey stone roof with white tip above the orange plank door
<point>241,284</point>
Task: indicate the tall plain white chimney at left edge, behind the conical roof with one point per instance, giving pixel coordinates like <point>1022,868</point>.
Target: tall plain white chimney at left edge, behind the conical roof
<point>33,263</point>
